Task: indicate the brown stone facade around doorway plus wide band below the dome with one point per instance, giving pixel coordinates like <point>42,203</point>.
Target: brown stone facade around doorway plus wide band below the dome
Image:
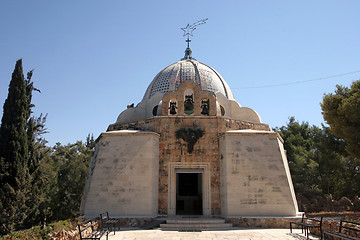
<point>206,149</point>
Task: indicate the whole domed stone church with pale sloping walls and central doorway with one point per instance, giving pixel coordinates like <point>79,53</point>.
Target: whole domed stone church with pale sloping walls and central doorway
<point>189,148</point>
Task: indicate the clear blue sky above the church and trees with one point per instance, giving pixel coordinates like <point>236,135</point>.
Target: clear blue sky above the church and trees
<point>92,58</point>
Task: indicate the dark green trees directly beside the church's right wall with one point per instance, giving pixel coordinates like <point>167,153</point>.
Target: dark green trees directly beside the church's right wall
<point>318,162</point>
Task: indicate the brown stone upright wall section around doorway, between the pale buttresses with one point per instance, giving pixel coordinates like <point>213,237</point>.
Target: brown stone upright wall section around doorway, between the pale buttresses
<point>173,149</point>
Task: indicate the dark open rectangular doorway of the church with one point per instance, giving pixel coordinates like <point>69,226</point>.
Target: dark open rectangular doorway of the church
<point>189,194</point>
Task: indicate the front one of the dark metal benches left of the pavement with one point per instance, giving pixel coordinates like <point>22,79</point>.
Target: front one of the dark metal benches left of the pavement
<point>95,233</point>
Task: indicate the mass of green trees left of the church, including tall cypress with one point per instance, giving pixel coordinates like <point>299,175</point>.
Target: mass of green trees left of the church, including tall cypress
<point>38,183</point>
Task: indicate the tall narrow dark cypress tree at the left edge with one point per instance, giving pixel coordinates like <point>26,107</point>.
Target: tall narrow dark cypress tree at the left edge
<point>14,172</point>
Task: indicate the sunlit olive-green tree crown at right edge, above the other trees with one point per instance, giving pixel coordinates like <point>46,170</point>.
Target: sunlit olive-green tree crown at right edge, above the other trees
<point>341,110</point>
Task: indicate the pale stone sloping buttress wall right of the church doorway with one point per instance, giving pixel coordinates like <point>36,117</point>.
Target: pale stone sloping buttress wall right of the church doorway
<point>255,178</point>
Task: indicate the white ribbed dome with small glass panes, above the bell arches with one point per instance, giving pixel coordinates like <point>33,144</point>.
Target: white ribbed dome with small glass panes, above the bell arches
<point>188,69</point>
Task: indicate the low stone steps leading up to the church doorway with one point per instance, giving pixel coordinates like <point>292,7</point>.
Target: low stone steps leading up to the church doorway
<point>195,224</point>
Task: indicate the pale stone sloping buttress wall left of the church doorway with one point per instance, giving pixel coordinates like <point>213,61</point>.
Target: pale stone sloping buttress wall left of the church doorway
<point>123,175</point>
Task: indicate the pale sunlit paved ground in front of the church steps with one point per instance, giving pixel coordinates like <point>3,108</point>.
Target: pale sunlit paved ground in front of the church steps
<point>261,234</point>
